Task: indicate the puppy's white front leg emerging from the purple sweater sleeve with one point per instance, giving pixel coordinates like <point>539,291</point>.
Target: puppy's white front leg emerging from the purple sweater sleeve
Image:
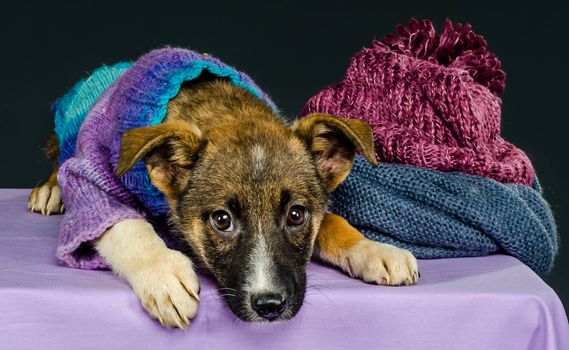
<point>163,279</point>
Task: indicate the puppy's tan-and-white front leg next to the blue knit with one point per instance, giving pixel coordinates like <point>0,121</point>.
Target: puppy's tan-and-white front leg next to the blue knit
<point>340,244</point>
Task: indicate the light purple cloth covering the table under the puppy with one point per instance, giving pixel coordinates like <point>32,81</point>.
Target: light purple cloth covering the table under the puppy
<point>487,303</point>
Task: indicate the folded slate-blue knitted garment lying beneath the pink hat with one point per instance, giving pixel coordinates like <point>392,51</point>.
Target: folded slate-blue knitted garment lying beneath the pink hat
<point>441,214</point>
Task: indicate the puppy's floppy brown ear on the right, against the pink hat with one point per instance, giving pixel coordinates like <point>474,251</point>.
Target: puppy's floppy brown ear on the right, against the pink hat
<point>333,142</point>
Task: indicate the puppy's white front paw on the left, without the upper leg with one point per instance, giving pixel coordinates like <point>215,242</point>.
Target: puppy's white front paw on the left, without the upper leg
<point>168,288</point>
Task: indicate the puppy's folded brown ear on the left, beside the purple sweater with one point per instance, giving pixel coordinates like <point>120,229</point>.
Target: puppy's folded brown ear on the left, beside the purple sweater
<point>169,151</point>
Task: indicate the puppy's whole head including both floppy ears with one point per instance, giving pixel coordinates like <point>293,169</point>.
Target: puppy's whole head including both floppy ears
<point>249,199</point>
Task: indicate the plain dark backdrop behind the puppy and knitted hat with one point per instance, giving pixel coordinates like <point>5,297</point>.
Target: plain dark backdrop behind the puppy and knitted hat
<point>292,51</point>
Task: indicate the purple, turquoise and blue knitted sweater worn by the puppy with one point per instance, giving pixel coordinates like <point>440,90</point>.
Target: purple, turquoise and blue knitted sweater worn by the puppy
<point>95,199</point>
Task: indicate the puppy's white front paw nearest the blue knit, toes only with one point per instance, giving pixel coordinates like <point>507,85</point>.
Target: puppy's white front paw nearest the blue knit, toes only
<point>381,263</point>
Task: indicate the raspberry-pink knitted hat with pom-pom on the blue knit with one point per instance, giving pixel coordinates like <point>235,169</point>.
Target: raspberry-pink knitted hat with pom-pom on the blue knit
<point>431,100</point>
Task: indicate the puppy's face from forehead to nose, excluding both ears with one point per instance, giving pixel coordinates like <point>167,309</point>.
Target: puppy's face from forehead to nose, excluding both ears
<point>251,211</point>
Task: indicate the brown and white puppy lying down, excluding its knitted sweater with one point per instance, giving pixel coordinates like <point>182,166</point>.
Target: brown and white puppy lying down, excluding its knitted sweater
<point>248,194</point>
